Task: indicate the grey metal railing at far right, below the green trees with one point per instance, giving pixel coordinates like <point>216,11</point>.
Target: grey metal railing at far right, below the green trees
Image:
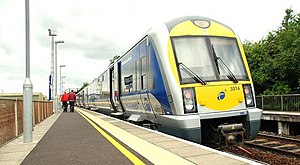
<point>279,102</point>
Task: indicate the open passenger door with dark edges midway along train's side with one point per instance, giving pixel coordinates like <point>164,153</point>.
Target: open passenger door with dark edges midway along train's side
<point>114,88</point>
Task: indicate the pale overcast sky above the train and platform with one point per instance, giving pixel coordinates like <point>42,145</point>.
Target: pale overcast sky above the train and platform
<point>96,30</point>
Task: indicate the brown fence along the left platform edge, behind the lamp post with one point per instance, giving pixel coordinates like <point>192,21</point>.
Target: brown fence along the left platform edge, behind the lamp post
<point>11,117</point>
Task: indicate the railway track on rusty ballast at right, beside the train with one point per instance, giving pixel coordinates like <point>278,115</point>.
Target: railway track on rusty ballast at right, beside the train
<point>276,144</point>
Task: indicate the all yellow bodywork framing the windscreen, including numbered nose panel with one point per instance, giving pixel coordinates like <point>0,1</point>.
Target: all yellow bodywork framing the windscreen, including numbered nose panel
<point>209,96</point>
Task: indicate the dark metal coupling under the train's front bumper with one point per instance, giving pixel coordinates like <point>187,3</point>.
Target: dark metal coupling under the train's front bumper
<point>233,133</point>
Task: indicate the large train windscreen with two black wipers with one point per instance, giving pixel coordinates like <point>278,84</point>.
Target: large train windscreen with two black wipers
<point>209,58</point>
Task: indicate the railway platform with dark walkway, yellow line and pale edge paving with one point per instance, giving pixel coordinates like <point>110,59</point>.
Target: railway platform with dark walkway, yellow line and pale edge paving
<point>86,137</point>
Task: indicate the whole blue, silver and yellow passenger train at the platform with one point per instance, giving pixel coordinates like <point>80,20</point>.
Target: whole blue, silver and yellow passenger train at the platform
<point>187,77</point>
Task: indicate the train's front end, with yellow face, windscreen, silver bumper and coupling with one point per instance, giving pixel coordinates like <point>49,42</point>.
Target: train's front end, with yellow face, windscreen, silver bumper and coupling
<point>212,91</point>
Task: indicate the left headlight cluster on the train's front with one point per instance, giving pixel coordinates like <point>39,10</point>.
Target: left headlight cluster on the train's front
<point>189,100</point>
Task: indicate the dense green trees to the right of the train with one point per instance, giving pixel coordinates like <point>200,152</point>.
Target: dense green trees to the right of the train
<point>274,61</point>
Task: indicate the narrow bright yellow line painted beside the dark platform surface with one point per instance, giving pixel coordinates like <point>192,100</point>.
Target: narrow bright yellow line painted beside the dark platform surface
<point>128,154</point>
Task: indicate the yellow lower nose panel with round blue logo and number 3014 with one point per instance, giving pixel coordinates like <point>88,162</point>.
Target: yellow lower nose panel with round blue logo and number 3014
<point>219,98</point>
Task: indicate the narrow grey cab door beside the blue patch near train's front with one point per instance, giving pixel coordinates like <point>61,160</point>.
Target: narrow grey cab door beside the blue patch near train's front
<point>144,77</point>
